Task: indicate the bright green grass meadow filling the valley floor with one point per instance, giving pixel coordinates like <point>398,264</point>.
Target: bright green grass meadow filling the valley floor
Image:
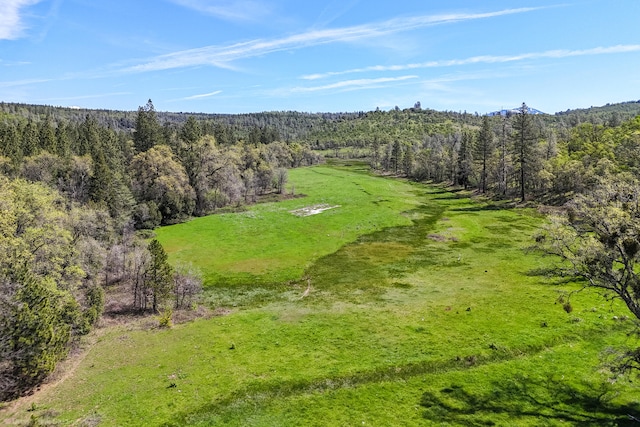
<point>404,305</point>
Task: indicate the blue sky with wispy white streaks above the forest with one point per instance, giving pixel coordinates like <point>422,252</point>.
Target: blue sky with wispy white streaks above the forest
<point>236,56</point>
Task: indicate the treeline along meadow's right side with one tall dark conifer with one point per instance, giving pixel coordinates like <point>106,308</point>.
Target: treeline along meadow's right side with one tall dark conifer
<point>519,155</point>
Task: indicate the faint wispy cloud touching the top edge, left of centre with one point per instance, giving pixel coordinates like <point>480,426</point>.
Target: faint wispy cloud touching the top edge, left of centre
<point>232,10</point>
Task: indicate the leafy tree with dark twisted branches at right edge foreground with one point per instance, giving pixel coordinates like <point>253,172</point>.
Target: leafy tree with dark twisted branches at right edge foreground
<point>598,240</point>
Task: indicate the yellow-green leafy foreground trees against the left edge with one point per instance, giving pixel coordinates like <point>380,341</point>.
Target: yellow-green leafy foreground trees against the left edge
<point>39,277</point>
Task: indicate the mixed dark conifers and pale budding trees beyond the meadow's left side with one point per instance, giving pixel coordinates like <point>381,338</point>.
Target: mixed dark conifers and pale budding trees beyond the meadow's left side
<point>157,173</point>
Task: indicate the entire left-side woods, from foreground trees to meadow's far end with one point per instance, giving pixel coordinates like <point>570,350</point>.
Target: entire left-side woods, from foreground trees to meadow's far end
<point>73,193</point>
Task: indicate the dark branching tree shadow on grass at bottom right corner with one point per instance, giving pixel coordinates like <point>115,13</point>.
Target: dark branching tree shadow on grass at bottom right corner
<point>521,399</point>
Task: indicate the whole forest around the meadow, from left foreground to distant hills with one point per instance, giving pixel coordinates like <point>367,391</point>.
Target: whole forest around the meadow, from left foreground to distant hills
<point>75,185</point>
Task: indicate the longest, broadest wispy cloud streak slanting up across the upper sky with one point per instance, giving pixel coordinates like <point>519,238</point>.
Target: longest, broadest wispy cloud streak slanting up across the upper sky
<point>221,56</point>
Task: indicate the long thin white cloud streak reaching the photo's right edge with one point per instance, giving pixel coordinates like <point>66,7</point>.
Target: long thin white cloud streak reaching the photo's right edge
<point>482,59</point>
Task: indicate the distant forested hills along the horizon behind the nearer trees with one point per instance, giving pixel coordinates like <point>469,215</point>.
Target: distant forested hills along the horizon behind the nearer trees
<point>319,129</point>
